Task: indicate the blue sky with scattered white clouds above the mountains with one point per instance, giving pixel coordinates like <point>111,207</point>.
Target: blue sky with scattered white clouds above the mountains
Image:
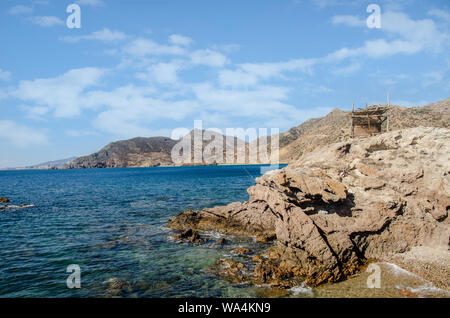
<point>144,68</point>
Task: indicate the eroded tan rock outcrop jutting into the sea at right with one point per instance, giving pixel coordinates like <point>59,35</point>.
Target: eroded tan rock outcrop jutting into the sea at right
<point>341,205</point>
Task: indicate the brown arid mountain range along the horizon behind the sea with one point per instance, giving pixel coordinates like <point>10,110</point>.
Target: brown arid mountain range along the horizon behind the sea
<point>334,127</point>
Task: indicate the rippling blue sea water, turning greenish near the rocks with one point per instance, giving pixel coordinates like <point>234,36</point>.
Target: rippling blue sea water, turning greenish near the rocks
<point>113,224</point>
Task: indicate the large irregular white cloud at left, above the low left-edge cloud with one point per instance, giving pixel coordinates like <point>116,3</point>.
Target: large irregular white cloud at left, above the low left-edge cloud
<point>61,94</point>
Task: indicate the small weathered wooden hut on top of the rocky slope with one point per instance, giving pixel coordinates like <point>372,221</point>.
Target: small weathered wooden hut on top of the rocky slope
<point>369,120</point>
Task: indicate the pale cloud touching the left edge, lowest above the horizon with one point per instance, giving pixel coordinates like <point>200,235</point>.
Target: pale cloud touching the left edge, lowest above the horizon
<point>20,135</point>
